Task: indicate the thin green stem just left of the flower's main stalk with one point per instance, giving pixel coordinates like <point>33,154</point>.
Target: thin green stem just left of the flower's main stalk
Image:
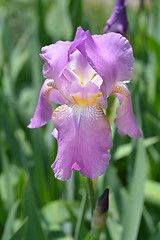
<point>81,217</point>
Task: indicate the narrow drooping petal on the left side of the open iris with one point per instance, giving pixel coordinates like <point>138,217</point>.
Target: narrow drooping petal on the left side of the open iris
<point>43,111</point>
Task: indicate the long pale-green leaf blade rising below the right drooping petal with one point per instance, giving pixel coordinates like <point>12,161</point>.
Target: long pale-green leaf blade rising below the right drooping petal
<point>134,206</point>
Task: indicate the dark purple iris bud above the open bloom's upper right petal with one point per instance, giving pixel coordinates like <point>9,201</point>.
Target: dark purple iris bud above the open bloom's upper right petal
<point>118,20</point>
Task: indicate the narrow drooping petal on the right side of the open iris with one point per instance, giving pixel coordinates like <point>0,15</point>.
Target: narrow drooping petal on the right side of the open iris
<point>125,120</point>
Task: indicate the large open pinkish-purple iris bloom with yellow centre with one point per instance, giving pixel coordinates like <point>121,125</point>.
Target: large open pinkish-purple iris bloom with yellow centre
<point>80,77</point>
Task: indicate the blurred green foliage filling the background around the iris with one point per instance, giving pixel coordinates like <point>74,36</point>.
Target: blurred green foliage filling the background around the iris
<point>33,204</point>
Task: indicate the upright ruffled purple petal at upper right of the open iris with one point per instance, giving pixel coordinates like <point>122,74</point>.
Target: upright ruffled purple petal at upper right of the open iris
<point>111,56</point>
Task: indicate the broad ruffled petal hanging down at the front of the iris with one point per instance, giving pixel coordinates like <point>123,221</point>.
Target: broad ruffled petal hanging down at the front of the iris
<point>83,146</point>
